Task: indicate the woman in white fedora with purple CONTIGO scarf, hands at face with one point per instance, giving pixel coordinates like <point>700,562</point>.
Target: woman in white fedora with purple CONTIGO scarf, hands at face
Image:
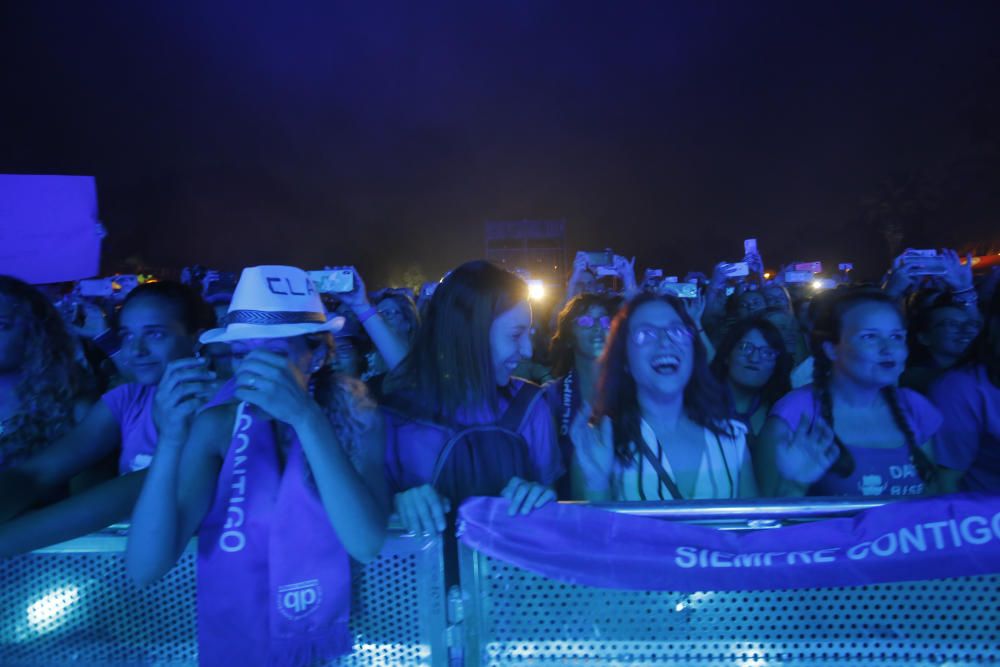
<point>278,481</point>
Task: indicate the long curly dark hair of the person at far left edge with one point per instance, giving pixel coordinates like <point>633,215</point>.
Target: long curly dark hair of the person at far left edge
<point>50,377</point>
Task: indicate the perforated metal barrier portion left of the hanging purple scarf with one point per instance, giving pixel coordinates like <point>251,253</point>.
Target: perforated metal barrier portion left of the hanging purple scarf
<point>81,608</point>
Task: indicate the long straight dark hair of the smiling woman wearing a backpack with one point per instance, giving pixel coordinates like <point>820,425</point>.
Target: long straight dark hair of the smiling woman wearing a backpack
<point>450,366</point>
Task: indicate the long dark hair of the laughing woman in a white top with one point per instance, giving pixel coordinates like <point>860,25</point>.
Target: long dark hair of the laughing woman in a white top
<point>617,396</point>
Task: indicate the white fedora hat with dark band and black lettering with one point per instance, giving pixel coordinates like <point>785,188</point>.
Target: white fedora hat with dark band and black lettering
<point>273,302</point>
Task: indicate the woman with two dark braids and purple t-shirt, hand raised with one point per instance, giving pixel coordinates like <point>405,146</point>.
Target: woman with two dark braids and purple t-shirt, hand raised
<point>852,432</point>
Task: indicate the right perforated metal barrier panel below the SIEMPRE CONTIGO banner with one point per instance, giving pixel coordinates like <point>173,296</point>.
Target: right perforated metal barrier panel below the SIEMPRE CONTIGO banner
<point>516,617</point>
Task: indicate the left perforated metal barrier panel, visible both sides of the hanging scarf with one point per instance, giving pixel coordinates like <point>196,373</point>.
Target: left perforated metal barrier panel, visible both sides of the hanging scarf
<point>74,604</point>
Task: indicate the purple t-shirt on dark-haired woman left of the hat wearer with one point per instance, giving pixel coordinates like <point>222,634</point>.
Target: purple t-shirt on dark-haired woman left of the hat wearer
<point>132,407</point>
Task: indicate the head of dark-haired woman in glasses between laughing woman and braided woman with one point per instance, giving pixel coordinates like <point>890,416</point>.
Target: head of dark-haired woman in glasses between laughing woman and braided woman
<point>754,366</point>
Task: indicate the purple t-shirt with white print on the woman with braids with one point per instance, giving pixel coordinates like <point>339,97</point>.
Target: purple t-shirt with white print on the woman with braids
<point>878,471</point>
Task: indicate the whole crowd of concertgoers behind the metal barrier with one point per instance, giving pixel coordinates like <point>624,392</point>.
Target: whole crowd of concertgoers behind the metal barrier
<point>283,425</point>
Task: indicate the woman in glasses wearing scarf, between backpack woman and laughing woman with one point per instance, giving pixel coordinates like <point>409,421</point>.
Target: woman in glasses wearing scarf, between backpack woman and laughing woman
<point>581,332</point>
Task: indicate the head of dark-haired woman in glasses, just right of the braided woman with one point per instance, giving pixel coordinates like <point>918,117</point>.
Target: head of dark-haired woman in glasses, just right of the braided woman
<point>942,331</point>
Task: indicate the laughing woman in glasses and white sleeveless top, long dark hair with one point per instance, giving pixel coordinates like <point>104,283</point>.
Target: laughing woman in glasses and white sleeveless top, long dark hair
<point>660,428</point>
